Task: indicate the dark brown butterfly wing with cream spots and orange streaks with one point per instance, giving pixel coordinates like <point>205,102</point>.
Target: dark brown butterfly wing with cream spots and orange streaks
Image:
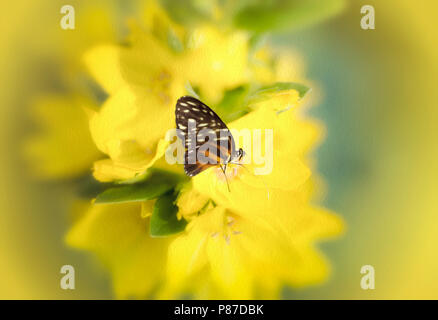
<point>191,109</point>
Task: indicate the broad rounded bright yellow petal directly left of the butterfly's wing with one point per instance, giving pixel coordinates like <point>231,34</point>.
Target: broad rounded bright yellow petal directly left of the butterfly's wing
<point>124,131</point>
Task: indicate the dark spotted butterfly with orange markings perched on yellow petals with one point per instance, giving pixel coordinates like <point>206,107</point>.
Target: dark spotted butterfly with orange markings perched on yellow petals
<point>196,122</point>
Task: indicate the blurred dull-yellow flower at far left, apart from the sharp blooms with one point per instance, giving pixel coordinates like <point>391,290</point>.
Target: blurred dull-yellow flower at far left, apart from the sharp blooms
<point>62,147</point>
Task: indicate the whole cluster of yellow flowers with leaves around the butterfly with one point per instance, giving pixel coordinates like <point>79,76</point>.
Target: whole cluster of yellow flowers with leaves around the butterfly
<point>163,235</point>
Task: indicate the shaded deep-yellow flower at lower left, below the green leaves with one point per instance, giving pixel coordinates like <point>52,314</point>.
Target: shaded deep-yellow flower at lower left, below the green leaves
<point>118,235</point>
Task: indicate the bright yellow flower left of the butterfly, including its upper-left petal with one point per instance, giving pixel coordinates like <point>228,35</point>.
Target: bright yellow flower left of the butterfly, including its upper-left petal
<point>132,121</point>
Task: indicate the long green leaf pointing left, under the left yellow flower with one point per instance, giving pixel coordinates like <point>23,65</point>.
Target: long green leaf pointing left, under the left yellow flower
<point>157,183</point>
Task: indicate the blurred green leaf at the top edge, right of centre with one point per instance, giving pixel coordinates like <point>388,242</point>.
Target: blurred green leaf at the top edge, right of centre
<point>280,15</point>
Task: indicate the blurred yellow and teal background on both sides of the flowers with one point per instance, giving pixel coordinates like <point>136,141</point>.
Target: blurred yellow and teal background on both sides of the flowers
<point>379,159</point>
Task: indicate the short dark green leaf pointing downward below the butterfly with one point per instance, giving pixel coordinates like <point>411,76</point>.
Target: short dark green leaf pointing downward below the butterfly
<point>164,221</point>
